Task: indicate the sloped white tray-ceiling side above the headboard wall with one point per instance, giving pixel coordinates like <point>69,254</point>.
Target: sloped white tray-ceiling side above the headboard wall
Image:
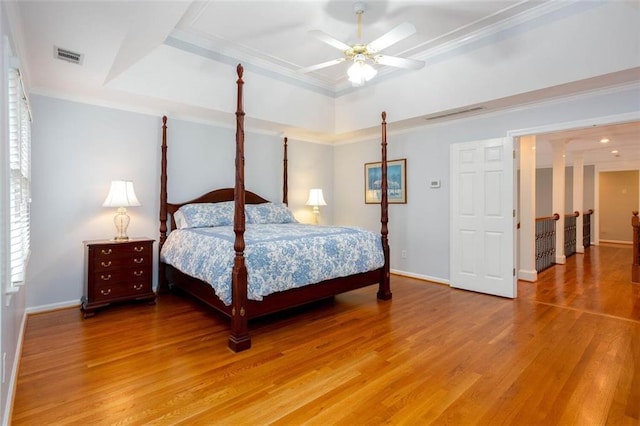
<point>266,98</point>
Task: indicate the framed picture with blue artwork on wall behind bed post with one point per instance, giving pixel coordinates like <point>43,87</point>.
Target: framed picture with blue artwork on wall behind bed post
<point>396,182</point>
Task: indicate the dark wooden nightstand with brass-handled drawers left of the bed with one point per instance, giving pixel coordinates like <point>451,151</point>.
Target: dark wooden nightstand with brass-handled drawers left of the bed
<point>117,271</point>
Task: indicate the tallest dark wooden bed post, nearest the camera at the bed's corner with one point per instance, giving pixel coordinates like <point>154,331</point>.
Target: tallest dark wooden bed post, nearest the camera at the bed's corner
<point>239,339</point>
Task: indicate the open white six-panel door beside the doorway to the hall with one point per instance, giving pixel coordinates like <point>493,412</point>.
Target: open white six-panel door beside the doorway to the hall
<point>482,254</point>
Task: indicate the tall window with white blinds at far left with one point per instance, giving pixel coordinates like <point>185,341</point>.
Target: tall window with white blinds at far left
<point>19,125</point>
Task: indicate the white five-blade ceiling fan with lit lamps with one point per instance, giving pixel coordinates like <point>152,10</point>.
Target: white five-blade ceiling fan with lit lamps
<point>363,55</point>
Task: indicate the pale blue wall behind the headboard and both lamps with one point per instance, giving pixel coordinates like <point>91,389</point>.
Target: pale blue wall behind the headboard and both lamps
<point>78,149</point>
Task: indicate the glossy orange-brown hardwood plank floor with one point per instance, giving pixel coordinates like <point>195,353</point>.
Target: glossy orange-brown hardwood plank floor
<point>567,351</point>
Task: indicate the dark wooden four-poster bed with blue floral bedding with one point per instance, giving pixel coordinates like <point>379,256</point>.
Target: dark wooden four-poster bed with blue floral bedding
<point>238,305</point>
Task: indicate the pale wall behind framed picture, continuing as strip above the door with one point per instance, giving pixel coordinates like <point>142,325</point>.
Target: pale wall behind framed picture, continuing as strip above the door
<point>421,227</point>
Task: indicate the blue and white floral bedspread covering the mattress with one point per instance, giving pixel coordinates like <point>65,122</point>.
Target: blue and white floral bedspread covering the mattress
<point>278,256</point>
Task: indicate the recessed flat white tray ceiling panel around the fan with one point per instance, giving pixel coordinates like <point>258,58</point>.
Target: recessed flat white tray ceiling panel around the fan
<point>275,34</point>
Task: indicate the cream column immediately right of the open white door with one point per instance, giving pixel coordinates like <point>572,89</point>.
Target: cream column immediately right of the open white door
<point>527,209</point>
